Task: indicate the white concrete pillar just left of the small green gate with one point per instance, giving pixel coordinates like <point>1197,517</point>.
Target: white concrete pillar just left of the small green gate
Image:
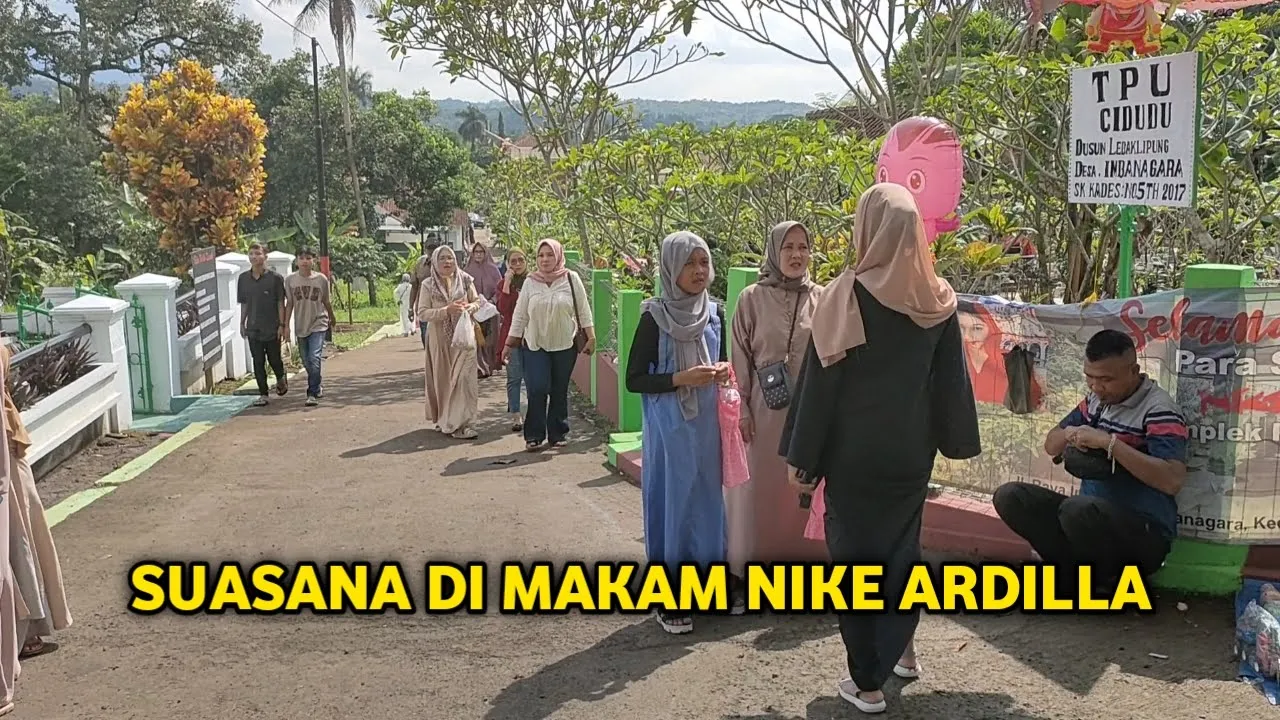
<point>106,318</point>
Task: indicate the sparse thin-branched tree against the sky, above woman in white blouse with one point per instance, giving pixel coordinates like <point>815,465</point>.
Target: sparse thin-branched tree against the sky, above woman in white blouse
<point>559,65</point>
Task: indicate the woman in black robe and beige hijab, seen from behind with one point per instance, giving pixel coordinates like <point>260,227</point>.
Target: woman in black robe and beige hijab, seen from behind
<point>884,389</point>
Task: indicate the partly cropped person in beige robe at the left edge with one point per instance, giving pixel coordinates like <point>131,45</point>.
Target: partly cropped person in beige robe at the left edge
<point>31,552</point>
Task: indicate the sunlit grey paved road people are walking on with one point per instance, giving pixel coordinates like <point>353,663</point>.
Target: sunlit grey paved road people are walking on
<point>362,479</point>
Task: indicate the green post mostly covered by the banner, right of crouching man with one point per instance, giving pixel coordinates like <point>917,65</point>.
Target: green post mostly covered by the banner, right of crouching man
<point>1195,566</point>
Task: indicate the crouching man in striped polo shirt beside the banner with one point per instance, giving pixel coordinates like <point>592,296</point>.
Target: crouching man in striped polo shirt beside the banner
<point>1130,517</point>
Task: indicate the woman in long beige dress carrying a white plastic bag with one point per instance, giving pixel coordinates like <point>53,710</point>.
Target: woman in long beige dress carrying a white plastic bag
<point>446,299</point>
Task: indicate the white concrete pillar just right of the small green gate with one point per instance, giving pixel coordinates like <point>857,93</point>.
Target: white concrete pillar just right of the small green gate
<point>159,299</point>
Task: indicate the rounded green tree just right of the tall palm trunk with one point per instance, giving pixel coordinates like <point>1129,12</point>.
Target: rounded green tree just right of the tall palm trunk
<point>413,163</point>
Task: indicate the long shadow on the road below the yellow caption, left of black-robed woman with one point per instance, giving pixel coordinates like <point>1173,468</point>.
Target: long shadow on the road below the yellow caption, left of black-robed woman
<point>634,653</point>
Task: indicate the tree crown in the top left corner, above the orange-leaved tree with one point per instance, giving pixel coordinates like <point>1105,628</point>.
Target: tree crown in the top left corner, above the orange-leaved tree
<point>136,38</point>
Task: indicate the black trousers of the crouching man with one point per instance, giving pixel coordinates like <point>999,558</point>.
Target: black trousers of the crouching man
<point>1069,532</point>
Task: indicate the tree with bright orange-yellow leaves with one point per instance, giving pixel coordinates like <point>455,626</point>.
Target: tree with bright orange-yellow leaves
<point>195,153</point>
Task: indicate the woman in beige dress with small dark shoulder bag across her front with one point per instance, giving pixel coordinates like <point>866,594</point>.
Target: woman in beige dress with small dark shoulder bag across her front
<point>771,326</point>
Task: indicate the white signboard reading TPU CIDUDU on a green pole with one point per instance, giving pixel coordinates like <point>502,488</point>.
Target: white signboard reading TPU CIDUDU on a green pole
<point>1135,133</point>
